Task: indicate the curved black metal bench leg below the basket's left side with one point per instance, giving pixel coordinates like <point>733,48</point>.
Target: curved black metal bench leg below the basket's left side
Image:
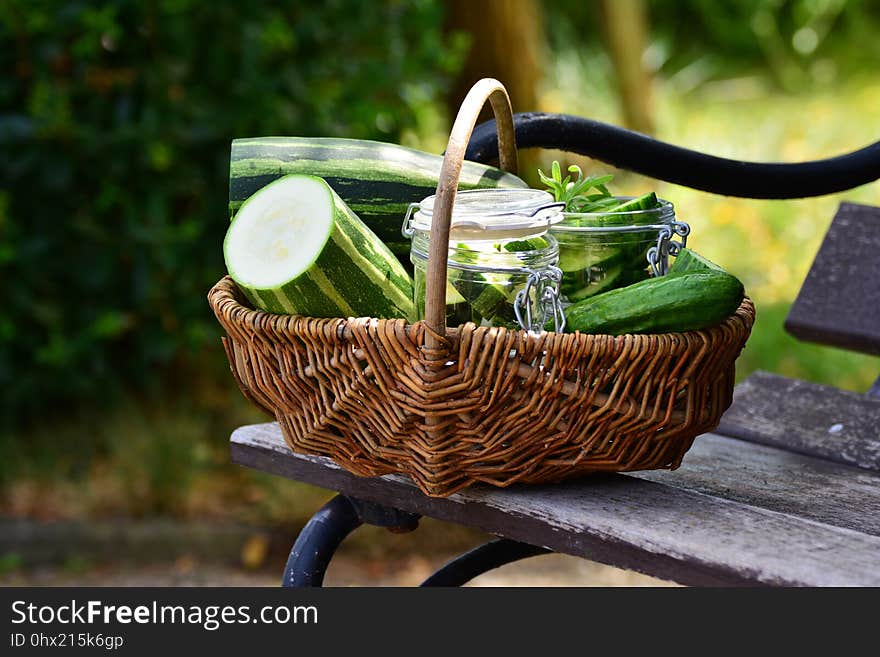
<point>325,531</point>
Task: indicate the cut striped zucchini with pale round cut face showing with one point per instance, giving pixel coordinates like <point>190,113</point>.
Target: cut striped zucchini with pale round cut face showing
<point>295,247</point>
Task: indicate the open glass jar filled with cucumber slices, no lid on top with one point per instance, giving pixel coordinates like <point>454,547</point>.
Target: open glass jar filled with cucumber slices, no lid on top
<point>601,251</point>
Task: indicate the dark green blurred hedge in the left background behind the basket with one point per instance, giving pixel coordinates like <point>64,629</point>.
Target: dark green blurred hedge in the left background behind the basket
<point>115,124</point>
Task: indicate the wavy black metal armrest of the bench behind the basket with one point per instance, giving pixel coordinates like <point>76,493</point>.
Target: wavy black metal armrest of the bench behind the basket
<point>636,152</point>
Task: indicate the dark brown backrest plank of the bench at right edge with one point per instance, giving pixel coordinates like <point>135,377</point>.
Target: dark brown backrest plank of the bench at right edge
<point>839,302</point>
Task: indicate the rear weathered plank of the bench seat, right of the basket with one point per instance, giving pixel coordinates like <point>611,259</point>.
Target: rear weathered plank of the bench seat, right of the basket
<point>807,418</point>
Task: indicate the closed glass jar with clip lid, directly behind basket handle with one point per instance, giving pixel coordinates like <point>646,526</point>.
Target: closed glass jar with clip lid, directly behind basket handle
<point>502,261</point>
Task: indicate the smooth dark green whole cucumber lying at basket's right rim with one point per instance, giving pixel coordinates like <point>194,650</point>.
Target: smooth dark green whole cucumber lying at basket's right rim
<point>671,303</point>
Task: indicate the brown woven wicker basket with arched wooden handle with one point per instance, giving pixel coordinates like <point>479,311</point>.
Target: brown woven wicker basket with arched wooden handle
<point>451,407</point>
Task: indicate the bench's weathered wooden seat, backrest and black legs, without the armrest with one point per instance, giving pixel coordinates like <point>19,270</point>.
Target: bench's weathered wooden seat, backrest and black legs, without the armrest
<point>785,492</point>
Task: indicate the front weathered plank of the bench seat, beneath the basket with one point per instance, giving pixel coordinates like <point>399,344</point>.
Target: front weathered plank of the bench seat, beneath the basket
<point>690,536</point>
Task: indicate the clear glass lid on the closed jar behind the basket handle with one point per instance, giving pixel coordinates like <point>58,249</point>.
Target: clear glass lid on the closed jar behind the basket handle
<point>491,214</point>
